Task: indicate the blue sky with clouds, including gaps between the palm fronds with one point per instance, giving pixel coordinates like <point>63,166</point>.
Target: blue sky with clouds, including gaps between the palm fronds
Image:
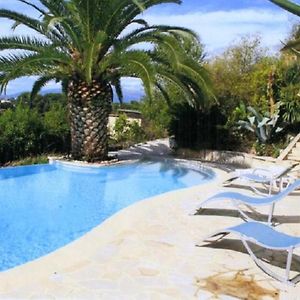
<point>219,23</point>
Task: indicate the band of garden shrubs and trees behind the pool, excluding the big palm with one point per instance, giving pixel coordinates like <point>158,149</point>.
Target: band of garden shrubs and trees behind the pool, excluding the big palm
<point>255,108</point>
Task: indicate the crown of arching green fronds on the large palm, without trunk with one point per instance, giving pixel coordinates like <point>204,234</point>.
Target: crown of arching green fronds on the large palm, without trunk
<point>86,39</point>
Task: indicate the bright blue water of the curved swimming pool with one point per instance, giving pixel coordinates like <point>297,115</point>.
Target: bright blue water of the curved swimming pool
<point>44,207</point>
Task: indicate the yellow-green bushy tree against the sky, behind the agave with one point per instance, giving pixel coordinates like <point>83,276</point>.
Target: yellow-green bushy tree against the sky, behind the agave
<point>240,73</point>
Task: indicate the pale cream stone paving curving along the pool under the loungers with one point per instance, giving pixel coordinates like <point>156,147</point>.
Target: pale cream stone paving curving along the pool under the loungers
<point>154,250</point>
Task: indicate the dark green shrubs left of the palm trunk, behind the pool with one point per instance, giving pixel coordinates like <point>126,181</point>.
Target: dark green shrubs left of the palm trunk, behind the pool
<point>26,132</point>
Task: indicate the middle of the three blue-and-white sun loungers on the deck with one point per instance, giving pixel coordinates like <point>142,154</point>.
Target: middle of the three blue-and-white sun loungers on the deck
<point>239,198</point>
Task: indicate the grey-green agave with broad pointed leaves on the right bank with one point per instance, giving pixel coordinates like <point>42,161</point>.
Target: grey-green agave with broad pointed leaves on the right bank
<point>264,127</point>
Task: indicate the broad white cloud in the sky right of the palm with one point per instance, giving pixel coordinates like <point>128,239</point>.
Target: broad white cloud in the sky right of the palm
<point>220,28</point>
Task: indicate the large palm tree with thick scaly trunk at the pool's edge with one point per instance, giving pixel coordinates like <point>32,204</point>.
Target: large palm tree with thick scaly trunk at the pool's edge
<point>88,46</point>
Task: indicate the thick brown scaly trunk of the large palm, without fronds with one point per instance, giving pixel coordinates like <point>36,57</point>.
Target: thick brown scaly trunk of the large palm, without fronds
<point>89,107</point>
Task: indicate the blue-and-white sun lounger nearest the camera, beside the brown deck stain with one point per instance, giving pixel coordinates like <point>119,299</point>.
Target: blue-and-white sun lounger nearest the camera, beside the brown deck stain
<point>267,237</point>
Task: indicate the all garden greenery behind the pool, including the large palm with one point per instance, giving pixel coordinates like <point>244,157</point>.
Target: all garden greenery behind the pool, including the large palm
<point>246,98</point>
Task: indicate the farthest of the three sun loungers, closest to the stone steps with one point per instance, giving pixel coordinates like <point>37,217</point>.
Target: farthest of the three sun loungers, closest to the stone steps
<point>272,176</point>
